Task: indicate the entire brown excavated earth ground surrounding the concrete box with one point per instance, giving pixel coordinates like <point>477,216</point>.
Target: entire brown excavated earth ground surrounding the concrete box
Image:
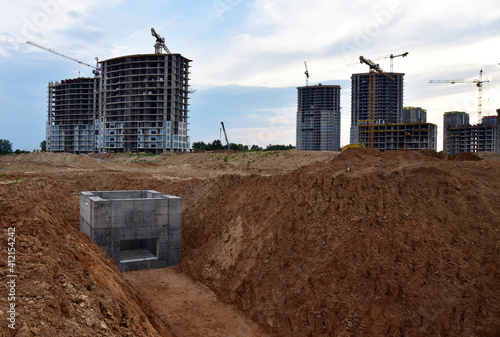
<point>282,243</point>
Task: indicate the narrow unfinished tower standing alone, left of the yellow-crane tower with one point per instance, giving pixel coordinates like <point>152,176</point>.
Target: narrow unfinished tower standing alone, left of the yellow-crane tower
<point>318,118</point>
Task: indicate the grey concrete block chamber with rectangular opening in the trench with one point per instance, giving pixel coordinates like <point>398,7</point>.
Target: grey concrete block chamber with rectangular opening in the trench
<point>138,229</point>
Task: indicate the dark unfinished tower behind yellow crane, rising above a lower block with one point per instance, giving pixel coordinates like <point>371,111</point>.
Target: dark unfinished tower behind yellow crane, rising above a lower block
<point>388,99</point>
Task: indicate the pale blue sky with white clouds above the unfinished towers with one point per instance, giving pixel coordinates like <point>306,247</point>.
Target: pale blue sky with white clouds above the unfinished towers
<point>248,56</point>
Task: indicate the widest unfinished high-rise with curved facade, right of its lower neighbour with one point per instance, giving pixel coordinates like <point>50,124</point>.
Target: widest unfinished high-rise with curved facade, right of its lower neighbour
<point>144,104</point>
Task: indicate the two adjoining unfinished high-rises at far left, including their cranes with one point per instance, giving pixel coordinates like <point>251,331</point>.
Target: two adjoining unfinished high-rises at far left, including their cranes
<point>135,103</point>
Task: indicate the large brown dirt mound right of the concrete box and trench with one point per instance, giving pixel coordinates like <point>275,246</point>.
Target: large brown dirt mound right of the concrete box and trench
<point>369,244</point>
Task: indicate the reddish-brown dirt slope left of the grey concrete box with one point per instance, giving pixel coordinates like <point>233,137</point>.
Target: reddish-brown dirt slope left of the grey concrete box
<point>66,285</point>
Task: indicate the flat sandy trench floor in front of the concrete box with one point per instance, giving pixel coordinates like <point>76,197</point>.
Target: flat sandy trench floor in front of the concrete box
<point>191,308</point>
